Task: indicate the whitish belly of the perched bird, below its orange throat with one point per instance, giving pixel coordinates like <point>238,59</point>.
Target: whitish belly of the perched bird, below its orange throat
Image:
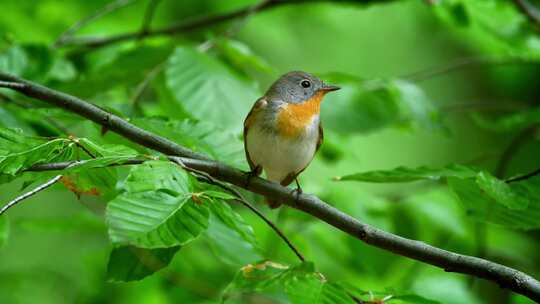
<point>280,156</point>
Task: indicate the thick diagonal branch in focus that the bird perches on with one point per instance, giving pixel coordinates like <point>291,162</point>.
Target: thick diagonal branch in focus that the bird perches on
<point>505,276</point>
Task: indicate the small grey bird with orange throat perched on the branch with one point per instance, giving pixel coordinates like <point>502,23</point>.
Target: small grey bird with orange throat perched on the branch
<point>283,131</point>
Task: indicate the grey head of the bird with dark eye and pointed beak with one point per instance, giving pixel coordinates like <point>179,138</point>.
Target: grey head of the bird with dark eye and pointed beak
<point>297,87</point>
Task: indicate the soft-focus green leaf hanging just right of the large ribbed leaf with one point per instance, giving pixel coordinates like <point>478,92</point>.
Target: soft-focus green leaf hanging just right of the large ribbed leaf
<point>230,236</point>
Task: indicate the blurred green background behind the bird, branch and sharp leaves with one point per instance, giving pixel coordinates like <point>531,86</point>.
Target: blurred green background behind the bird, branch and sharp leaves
<point>57,246</point>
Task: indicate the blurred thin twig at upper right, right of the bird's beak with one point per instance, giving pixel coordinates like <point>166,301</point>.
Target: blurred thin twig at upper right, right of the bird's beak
<point>464,63</point>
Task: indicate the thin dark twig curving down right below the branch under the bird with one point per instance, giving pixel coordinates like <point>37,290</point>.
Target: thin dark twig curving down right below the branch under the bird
<point>240,198</point>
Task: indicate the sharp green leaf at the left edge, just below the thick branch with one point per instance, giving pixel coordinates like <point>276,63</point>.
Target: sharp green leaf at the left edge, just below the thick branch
<point>19,152</point>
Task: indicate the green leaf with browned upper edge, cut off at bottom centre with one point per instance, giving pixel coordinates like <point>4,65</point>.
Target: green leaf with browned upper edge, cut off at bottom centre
<point>301,284</point>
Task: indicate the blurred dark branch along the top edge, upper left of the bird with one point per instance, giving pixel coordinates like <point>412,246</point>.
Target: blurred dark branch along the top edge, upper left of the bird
<point>183,27</point>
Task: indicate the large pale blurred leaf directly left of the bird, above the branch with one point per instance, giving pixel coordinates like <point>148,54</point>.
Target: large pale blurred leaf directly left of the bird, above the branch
<point>208,90</point>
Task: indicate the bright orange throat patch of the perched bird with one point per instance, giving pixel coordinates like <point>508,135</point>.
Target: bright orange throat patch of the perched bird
<point>293,119</point>
